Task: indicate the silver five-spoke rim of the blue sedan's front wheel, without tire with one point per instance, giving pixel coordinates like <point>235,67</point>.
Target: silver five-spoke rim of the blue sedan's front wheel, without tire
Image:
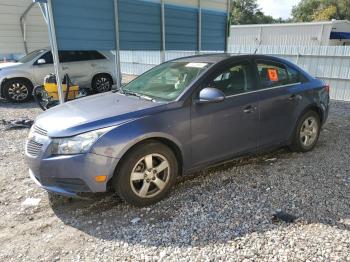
<point>150,175</point>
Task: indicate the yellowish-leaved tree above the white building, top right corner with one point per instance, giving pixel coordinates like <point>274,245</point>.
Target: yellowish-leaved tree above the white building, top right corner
<point>316,10</point>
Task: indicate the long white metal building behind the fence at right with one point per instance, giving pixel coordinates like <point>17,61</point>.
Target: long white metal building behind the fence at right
<point>327,33</point>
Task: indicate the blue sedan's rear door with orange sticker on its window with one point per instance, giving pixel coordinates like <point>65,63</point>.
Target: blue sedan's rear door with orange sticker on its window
<point>277,102</point>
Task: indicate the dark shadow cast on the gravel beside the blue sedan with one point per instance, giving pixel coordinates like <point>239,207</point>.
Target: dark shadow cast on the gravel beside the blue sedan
<point>221,203</point>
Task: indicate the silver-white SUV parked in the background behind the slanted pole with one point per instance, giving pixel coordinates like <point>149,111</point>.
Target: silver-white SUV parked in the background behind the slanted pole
<point>88,69</point>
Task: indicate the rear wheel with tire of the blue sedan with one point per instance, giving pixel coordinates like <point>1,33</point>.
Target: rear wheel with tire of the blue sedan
<point>307,132</point>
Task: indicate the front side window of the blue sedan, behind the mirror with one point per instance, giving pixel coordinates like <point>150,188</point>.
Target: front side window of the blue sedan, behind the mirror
<point>237,79</point>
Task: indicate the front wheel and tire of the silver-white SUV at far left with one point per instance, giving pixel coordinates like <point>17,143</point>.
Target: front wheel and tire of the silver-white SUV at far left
<point>17,90</point>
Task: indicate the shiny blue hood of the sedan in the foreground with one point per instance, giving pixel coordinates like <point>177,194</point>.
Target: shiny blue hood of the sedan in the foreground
<point>94,112</point>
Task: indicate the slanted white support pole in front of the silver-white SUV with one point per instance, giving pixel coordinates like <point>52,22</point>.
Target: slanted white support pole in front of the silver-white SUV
<point>54,49</point>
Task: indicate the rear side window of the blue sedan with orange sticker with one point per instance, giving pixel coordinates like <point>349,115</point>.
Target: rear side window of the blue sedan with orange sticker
<point>273,74</point>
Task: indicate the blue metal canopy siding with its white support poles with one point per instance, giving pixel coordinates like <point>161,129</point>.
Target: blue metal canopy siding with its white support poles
<point>94,25</point>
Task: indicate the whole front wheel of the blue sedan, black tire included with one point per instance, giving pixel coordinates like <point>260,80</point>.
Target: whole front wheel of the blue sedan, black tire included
<point>146,186</point>
